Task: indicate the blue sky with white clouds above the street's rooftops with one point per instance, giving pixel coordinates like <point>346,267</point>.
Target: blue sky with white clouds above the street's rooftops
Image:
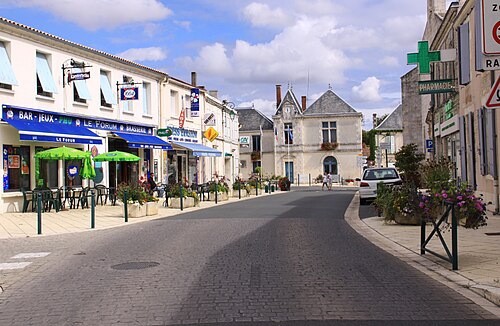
<point>241,48</point>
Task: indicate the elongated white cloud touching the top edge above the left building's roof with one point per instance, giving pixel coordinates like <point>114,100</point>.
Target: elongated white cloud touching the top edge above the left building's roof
<point>96,14</point>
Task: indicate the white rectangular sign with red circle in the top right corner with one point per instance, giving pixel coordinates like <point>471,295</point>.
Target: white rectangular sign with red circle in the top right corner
<point>490,14</point>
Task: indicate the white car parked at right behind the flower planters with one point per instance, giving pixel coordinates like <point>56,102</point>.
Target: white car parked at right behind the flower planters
<point>371,177</point>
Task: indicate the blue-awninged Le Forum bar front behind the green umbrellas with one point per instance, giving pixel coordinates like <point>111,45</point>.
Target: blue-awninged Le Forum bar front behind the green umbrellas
<point>26,131</point>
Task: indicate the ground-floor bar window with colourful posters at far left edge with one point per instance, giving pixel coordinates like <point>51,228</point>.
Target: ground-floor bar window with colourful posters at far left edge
<point>17,159</point>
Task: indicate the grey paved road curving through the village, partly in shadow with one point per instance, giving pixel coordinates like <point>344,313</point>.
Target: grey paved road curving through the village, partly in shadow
<point>289,259</point>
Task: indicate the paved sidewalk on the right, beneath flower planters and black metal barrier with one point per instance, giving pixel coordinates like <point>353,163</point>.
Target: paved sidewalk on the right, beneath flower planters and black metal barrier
<point>478,252</point>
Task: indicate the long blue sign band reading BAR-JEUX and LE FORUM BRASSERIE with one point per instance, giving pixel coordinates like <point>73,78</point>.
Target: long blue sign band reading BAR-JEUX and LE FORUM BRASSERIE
<point>47,117</point>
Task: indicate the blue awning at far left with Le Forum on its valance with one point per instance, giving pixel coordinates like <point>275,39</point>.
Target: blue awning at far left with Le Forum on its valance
<point>53,132</point>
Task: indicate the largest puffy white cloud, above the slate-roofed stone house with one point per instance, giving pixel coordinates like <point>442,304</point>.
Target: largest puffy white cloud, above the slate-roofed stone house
<point>293,54</point>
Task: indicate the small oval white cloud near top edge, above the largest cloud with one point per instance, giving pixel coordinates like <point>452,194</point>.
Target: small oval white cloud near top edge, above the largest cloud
<point>262,15</point>
